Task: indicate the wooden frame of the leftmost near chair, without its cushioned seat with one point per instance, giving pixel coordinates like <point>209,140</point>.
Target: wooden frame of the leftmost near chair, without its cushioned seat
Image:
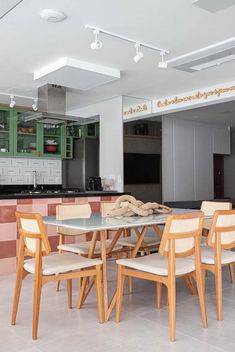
<point>40,280</point>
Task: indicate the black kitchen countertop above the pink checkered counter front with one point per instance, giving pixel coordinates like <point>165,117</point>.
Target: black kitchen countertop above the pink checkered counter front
<point>18,195</point>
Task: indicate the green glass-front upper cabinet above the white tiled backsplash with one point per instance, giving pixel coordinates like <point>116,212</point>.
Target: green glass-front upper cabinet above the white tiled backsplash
<point>19,137</point>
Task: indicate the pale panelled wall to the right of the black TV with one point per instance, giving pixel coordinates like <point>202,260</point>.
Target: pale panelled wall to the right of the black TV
<point>187,158</point>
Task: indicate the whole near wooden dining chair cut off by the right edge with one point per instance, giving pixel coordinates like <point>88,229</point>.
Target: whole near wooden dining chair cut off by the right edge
<point>218,253</point>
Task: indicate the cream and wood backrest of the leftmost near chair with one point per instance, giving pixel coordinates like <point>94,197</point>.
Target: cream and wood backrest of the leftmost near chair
<point>31,229</point>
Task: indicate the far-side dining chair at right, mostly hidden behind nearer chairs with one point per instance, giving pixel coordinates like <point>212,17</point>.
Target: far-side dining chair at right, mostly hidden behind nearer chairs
<point>209,208</point>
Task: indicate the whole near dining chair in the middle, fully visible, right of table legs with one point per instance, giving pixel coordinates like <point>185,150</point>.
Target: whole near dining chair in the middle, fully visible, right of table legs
<point>180,241</point>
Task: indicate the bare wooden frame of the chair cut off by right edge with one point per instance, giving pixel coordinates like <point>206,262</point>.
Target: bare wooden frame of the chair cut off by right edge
<point>216,268</point>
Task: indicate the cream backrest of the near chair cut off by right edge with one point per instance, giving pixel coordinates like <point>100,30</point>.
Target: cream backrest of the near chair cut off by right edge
<point>223,229</point>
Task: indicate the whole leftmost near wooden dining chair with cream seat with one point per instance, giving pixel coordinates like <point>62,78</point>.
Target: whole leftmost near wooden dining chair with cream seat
<point>45,268</point>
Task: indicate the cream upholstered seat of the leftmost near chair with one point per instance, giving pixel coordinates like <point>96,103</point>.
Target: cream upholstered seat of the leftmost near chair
<point>61,263</point>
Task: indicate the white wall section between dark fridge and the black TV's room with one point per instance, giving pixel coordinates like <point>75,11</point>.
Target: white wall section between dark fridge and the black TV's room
<point>111,137</point>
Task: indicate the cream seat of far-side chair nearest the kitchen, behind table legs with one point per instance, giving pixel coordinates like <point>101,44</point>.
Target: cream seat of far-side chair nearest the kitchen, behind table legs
<point>82,248</point>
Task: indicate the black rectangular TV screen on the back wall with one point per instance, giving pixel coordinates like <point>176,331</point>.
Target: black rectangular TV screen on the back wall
<point>141,168</point>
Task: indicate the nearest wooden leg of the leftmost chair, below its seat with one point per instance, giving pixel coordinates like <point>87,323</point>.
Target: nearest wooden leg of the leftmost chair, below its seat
<point>36,304</point>
